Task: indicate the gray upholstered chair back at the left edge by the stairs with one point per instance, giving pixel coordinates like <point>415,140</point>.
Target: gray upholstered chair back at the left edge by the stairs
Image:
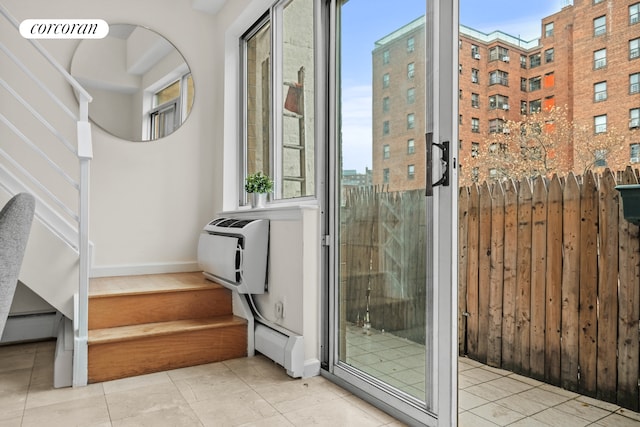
<point>15,225</point>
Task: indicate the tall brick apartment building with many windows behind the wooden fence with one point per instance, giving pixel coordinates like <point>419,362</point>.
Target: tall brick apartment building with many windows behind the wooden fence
<point>587,59</point>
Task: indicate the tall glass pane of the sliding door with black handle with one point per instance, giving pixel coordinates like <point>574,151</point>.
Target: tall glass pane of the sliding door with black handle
<point>382,271</point>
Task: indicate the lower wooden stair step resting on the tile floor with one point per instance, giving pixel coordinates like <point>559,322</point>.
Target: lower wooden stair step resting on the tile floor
<point>126,351</point>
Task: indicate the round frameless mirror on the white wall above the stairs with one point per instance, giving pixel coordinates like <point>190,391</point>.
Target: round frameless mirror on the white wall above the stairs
<point>141,85</point>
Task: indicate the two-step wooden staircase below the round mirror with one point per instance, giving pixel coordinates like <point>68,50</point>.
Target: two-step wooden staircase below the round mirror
<point>145,324</point>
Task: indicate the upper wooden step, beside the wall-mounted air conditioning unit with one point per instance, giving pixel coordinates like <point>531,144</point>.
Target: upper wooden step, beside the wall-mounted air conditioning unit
<point>115,302</point>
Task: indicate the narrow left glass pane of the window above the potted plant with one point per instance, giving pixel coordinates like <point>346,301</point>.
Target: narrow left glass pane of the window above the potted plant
<point>258,100</point>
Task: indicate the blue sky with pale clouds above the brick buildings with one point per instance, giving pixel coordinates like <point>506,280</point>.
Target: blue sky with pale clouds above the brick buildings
<point>366,21</point>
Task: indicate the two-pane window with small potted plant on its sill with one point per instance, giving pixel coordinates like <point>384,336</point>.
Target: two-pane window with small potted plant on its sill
<point>269,133</point>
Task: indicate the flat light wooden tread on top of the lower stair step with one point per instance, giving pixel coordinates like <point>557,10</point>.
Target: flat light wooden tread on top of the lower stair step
<point>133,332</point>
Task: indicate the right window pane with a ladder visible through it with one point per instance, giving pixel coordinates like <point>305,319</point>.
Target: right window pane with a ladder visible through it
<point>298,146</point>
